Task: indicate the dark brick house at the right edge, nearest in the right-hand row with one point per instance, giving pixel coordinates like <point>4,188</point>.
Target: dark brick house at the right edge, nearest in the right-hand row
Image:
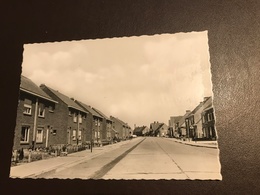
<point>208,123</point>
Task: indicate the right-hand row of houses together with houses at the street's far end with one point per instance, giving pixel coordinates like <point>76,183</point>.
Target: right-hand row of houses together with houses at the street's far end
<point>198,124</point>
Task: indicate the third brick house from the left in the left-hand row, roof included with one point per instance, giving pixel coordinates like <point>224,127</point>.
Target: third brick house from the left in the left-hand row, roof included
<point>96,120</point>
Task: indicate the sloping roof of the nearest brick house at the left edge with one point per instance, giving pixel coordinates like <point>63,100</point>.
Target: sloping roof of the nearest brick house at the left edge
<point>30,87</point>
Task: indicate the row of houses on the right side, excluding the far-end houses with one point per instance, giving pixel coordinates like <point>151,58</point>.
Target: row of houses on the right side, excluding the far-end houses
<point>198,124</point>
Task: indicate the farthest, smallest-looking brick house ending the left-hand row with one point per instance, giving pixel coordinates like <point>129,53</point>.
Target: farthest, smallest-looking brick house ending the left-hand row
<point>122,129</point>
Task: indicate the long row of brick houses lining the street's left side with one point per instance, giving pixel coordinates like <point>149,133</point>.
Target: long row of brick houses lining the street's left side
<point>46,117</point>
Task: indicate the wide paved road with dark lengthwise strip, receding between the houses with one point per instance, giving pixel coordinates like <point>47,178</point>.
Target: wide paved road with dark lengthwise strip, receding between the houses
<point>147,158</point>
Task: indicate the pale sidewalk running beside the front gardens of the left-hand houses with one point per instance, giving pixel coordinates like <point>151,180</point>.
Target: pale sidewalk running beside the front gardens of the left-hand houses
<point>35,168</point>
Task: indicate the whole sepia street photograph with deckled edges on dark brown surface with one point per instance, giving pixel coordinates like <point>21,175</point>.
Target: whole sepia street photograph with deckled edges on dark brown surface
<point>123,108</point>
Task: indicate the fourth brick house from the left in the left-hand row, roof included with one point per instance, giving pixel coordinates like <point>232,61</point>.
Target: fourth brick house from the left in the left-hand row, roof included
<point>107,126</point>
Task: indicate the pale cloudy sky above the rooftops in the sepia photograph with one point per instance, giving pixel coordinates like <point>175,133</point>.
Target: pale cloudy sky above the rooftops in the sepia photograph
<point>136,79</point>
